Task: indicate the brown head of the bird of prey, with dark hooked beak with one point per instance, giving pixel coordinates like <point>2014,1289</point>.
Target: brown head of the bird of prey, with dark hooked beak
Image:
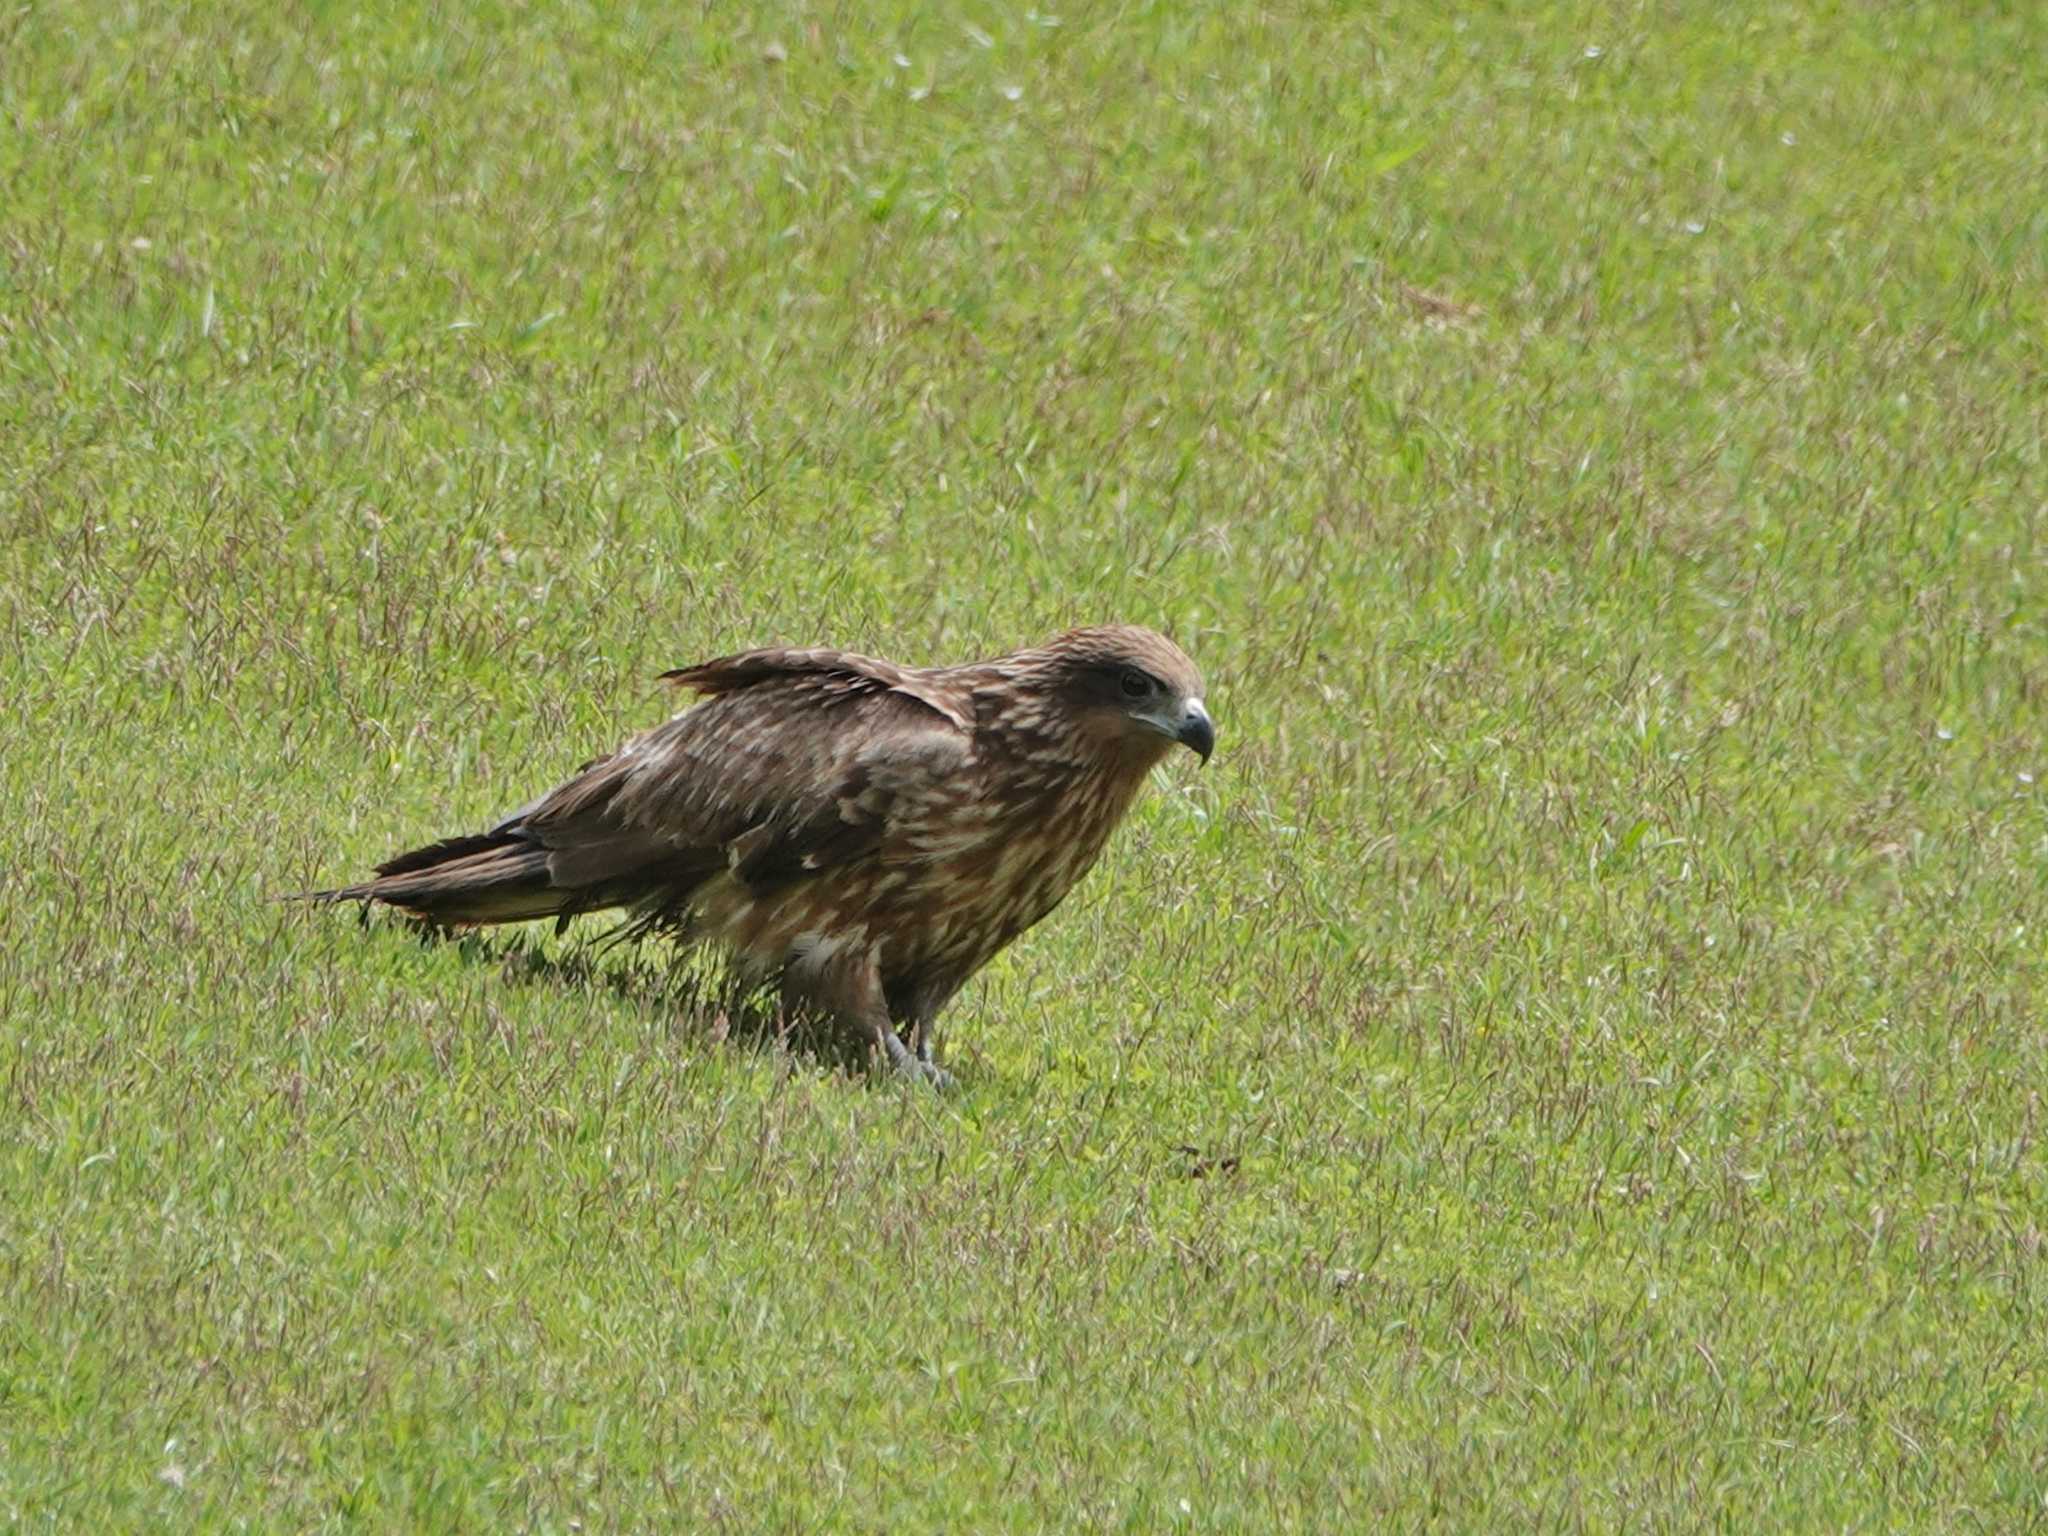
<point>1134,691</point>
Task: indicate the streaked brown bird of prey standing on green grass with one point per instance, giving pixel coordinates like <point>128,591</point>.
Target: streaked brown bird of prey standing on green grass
<point>859,833</point>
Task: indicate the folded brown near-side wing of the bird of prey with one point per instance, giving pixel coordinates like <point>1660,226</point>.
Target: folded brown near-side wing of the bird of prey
<point>792,767</point>
